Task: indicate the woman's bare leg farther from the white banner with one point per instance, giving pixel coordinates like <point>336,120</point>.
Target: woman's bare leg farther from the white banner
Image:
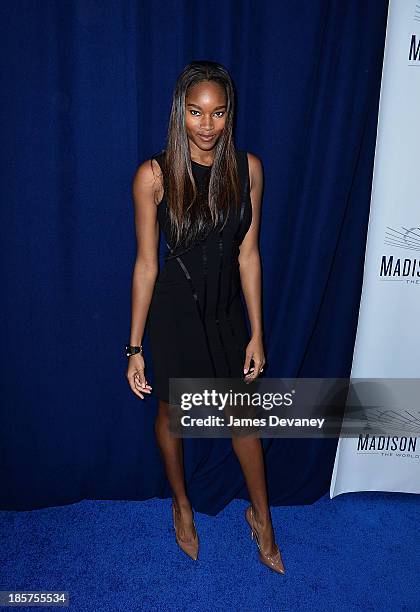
<point>171,451</point>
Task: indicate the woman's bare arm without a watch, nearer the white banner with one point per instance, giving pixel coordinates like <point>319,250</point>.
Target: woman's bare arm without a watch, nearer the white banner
<point>250,268</point>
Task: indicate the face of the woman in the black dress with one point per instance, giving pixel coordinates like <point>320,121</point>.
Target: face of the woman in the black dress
<point>205,114</point>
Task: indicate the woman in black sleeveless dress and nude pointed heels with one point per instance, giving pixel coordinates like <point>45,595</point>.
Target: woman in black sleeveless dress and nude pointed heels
<point>206,196</point>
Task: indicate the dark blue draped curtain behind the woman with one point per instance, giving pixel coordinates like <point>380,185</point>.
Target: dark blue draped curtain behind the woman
<point>86,98</point>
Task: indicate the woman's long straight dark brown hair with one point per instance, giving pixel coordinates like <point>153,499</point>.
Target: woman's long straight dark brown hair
<point>192,216</point>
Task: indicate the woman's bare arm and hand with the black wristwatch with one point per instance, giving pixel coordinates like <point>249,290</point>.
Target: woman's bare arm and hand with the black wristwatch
<point>144,189</point>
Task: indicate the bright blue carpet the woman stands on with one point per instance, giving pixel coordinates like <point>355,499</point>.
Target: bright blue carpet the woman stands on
<point>359,551</point>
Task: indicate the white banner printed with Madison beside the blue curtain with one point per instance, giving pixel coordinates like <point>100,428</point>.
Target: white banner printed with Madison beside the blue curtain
<point>388,334</point>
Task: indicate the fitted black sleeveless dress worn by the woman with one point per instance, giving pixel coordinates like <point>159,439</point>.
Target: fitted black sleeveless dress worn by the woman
<point>196,320</point>
